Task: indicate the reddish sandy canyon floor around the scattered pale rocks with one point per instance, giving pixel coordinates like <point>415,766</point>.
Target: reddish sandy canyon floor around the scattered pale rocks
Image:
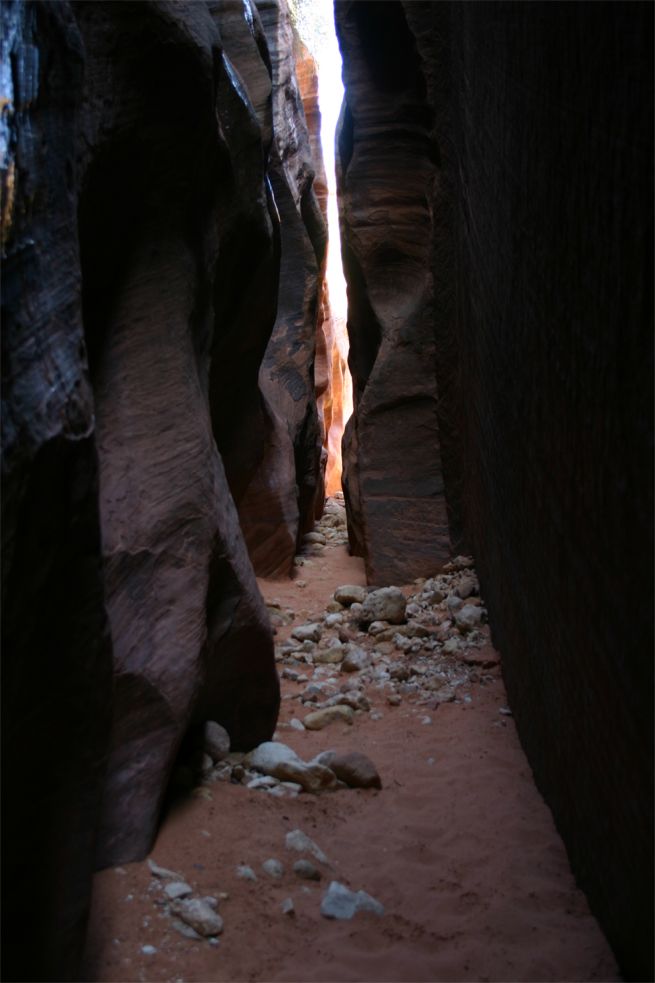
<point>458,845</point>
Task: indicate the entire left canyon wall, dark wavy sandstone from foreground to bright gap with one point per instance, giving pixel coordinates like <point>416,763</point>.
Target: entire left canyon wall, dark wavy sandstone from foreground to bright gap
<point>156,200</point>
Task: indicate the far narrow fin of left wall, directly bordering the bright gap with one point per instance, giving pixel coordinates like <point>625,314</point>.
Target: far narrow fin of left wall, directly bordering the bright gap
<point>279,500</point>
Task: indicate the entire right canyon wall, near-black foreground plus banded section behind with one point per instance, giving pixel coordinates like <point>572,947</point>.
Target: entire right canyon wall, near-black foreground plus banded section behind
<point>516,141</point>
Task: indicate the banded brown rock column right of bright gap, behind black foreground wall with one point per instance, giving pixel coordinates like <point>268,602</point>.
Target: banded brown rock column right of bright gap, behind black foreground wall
<point>394,490</point>
